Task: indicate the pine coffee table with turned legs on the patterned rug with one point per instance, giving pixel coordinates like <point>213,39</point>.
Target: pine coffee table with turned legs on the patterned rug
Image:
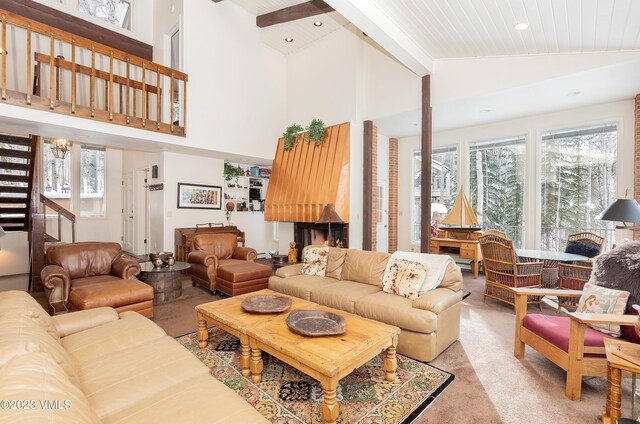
<point>326,359</point>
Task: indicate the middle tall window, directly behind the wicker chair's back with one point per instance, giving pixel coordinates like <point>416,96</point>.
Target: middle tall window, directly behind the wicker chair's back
<point>496,174</point>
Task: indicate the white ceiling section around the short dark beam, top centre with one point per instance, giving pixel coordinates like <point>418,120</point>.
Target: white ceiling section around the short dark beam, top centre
<point>302,31</point>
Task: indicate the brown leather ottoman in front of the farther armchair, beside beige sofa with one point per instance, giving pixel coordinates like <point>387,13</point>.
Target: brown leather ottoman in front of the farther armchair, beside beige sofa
<point>236,279</point>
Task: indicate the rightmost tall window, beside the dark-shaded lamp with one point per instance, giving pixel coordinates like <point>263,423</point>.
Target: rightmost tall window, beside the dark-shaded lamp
<point>578,181</point>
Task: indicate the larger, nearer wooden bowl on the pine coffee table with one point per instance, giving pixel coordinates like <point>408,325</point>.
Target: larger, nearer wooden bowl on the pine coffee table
<point>316,323</point>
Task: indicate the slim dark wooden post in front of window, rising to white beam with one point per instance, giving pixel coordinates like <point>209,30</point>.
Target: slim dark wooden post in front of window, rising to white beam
<point>425,170</point>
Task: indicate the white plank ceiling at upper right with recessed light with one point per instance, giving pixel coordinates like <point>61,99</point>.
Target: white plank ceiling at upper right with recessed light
<point>472,28</point>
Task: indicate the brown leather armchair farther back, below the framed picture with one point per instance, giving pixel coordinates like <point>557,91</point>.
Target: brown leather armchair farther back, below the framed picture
<point>213,250</point>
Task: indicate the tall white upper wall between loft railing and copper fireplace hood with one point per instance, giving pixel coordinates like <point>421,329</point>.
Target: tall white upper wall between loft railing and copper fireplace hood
<point>237,101</point>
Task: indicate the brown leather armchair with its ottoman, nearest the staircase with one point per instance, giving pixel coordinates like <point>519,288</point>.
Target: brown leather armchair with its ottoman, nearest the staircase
<point>91,275</point>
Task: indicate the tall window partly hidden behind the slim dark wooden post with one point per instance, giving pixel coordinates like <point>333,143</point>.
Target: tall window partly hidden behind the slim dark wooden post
<point>444,182</point>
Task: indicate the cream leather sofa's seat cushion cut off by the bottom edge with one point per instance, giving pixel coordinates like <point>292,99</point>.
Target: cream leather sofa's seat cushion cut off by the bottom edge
<point>188,402</point>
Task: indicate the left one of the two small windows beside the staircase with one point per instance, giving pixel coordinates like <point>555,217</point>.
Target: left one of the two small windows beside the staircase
<point>56,179</point>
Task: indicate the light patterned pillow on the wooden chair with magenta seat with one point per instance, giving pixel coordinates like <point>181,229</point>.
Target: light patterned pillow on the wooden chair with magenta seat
<point>600,300</point>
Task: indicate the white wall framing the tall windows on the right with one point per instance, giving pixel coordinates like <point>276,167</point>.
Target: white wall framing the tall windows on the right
<point>621,113</point>
